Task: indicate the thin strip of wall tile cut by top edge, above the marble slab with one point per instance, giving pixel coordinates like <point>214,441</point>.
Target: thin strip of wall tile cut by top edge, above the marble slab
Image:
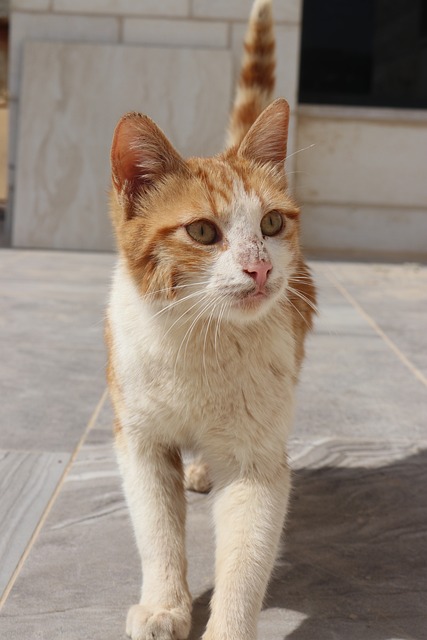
<point>124,7</point>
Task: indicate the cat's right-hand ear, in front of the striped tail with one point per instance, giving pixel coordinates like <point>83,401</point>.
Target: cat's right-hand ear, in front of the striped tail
<point>266,141</point>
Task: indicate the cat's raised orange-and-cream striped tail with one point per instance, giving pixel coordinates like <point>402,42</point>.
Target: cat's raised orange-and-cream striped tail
<point>257,75</point>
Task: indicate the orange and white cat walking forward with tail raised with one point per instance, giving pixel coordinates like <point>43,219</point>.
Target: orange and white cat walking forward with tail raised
<point>210,304</point>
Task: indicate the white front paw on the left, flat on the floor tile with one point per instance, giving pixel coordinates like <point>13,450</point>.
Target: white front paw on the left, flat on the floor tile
<point>162,624</point>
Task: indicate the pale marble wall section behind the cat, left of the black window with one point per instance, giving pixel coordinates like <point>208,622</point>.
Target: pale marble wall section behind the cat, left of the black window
<point>77,65</point>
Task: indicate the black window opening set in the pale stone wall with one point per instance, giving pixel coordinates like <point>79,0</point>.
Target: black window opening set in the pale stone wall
<point>364,52</point>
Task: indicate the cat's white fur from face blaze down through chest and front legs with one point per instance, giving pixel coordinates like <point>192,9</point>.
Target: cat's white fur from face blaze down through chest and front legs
<point>219,382</point>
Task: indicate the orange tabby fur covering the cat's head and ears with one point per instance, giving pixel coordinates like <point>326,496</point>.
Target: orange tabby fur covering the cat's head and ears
<point>147,218</point>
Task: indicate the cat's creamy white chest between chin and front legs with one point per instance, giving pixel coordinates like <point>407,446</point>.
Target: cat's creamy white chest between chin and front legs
<point>205,373</point>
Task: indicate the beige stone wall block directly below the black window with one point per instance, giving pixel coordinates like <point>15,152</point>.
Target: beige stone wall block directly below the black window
<point>373,173</point>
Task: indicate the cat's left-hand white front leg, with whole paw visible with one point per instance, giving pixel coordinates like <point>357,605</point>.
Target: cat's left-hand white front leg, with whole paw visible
<point>153,483</point>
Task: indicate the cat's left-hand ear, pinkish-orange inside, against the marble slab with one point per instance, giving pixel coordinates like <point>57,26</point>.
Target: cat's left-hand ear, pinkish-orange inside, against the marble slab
<point>140,156</point>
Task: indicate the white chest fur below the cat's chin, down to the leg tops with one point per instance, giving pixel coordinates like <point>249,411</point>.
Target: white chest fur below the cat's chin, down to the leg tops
<point>217,385</point>
